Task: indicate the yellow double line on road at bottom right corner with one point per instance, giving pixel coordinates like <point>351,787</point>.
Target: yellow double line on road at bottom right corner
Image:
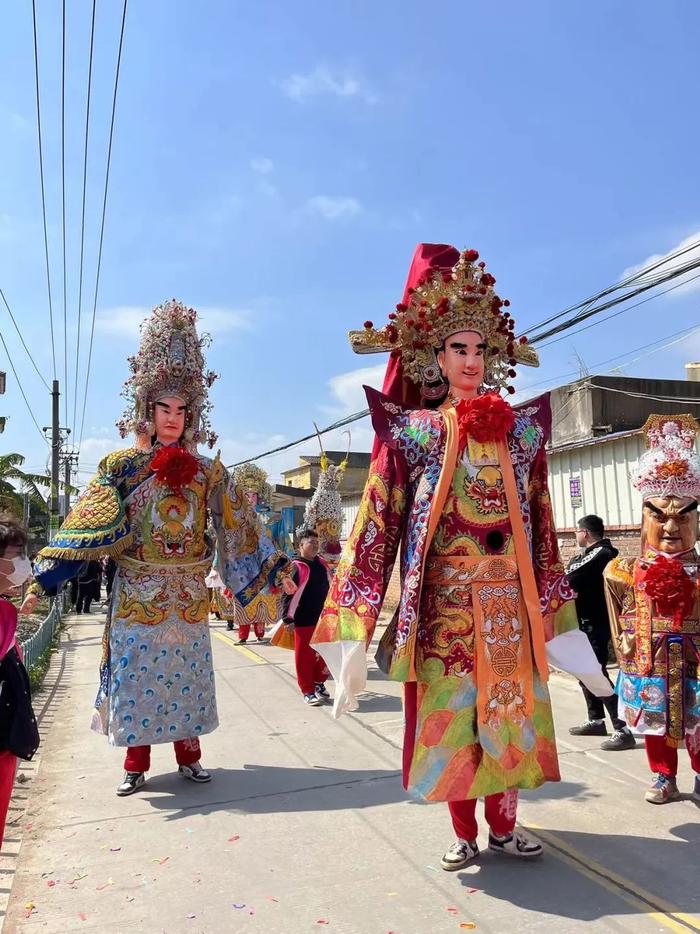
<point>634,895</point>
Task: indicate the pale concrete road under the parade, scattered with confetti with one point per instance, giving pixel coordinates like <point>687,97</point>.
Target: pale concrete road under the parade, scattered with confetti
<point>305,826</point>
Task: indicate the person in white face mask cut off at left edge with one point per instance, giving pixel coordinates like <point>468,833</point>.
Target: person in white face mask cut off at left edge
<point>19,734</point>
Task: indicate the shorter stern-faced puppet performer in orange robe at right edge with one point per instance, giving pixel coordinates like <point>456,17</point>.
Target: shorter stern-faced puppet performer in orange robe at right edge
<point>654,606</point>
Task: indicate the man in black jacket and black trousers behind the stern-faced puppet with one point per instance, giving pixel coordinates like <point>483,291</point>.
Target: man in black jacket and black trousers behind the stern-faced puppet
<point>585,575</point>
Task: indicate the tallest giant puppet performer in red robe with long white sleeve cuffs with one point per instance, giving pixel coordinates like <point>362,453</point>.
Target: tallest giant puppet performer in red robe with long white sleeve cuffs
<point>461,483</point>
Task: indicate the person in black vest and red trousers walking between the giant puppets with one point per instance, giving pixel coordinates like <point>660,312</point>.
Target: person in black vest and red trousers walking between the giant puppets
<point>301,611</point>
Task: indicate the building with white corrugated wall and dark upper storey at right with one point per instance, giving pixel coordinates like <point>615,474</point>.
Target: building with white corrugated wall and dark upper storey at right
<point>596,438</point>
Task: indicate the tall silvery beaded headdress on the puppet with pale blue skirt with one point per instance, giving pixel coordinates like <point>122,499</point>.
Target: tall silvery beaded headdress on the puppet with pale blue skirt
<point>170,362</point>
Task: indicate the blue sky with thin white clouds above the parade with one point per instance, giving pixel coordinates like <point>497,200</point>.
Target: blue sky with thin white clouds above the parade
<point>275,164</point>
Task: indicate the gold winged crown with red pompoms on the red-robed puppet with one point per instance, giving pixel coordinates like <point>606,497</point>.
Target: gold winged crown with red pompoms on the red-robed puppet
<point>442,304</point>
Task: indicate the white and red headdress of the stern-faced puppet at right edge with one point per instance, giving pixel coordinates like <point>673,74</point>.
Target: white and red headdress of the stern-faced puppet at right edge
<point>671,465</point>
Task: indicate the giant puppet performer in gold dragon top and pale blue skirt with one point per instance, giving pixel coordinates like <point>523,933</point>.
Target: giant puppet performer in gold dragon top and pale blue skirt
<point>149,507</point>
